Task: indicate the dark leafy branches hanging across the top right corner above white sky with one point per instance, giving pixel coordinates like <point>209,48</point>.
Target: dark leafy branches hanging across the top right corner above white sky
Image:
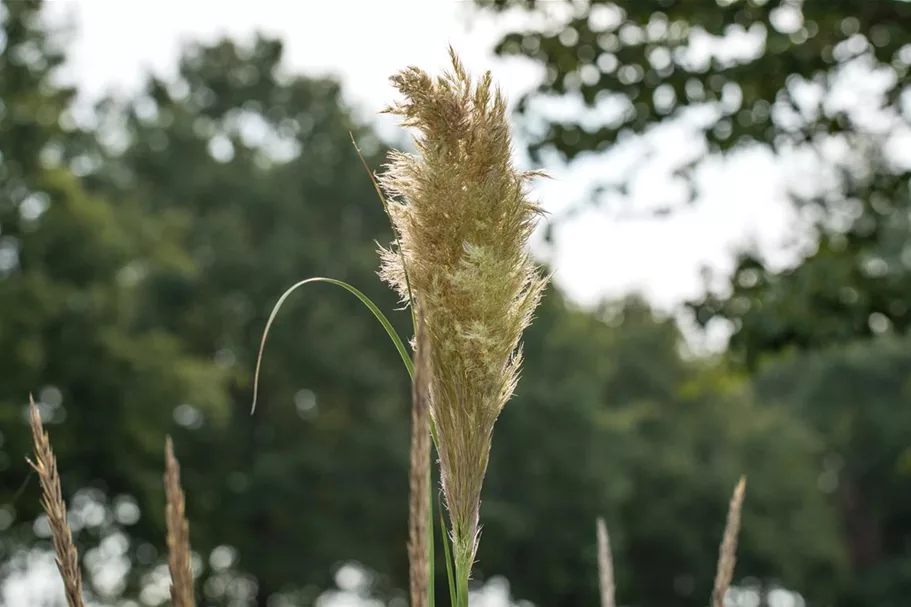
<point>632,54</point>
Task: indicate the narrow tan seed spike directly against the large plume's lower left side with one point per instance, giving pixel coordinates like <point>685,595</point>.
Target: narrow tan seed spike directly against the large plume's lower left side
<point>419,503</point>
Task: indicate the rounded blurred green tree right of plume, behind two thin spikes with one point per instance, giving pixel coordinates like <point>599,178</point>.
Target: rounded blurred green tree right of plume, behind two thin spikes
<point>610,421</point>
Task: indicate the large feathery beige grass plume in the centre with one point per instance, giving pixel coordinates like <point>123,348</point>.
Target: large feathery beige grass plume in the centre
<point>463,218</point>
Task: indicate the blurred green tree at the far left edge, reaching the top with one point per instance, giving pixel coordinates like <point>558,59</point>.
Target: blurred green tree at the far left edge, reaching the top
<point>73,275</point>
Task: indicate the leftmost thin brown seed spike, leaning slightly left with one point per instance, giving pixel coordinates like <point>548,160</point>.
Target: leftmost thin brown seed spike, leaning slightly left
<point>45,465</point>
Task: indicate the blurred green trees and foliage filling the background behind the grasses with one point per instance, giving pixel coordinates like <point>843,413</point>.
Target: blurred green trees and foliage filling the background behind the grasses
<point>140,254</point>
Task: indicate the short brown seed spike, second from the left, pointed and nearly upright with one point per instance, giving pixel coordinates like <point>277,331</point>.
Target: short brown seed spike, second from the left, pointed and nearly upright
<point>178,533</point>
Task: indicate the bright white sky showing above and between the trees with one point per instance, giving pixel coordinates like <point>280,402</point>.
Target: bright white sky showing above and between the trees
<point>365,42</point>
